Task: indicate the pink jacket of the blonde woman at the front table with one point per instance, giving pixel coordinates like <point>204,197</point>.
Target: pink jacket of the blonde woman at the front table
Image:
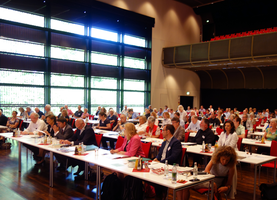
<point>134,147</point>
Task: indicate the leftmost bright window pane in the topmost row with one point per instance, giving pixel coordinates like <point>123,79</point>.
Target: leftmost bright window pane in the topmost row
<point>21,17</point>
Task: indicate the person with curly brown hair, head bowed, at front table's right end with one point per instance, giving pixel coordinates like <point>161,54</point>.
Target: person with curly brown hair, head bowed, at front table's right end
<point>223,166</point>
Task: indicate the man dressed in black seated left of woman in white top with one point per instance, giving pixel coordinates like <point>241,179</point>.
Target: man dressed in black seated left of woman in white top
<point>204,133</point>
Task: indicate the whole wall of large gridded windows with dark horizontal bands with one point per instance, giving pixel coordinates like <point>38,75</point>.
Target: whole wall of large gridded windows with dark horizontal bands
<point>79,59</point>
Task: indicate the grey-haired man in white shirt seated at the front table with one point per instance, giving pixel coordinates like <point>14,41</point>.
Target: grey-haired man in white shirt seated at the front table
<point>33,128</point>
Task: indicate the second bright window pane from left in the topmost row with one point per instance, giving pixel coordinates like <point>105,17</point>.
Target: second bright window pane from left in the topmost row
<point>67,27</point>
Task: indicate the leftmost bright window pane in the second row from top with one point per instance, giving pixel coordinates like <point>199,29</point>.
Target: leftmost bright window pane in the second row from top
<point>21,47</point>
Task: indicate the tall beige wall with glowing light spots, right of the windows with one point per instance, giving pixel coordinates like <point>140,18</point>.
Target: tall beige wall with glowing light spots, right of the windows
<point>175,24</point>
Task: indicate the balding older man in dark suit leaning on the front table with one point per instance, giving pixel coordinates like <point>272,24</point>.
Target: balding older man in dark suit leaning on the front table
<point>85,135</point>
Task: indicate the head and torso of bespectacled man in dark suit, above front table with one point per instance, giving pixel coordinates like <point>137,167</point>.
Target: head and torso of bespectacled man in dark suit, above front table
<point>171,149</point>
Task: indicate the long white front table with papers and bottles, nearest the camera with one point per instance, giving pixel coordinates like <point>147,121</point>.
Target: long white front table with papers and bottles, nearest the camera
<point>106,160</point>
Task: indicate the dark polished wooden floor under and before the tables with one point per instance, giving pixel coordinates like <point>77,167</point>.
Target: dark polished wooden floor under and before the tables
<point>32,182</point>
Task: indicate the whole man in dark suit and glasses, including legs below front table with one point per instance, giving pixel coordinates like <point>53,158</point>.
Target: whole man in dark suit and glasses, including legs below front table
<point>171,150</point>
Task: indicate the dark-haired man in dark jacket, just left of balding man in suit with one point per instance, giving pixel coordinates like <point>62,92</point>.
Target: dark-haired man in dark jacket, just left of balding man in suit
<point>64,130</point>
